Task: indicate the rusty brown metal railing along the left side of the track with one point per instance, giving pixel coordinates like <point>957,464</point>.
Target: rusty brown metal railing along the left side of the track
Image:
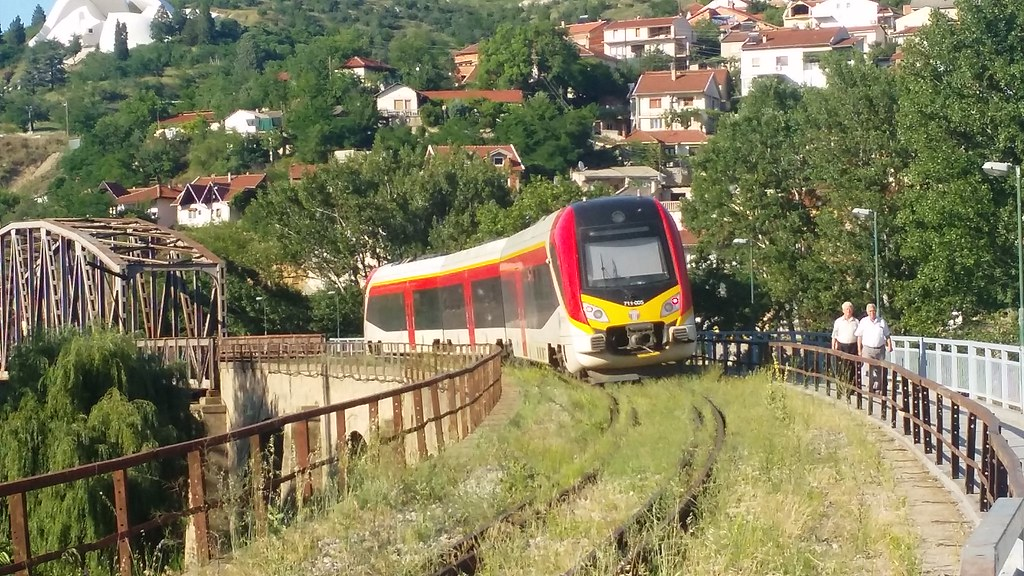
<point>468,393</point>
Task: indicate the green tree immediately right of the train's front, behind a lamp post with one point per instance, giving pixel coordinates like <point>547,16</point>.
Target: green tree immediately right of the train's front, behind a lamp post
<point>751,182</point>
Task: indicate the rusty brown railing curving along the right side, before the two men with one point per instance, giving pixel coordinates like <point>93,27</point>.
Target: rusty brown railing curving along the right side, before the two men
<point>949,427</point>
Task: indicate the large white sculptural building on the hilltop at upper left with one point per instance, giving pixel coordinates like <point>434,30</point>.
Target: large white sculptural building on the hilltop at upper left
<point>94,21</point>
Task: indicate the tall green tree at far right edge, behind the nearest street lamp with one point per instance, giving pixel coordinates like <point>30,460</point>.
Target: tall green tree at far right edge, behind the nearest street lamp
<point>962,104</point>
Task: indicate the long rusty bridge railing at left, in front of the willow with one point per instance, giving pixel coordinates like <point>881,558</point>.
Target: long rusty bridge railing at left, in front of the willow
<point>416,418</point>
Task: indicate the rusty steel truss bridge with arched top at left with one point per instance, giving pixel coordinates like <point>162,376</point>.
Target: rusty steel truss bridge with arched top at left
<point>124,274</point>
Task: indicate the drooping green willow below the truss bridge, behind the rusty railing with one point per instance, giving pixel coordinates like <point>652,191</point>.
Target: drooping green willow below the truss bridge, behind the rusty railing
<point>80,398</point>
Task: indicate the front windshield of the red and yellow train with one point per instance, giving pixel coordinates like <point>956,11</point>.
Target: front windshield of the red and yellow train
<point>619,259</point>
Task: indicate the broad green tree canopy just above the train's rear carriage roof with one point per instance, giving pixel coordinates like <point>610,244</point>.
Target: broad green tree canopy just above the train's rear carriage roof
<point>378,208</point>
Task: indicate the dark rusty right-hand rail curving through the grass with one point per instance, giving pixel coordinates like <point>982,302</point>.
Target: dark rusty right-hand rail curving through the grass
<point>638,528</point>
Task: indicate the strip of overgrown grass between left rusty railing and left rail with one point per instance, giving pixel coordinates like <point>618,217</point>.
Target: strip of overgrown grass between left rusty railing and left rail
<point>396,520</point>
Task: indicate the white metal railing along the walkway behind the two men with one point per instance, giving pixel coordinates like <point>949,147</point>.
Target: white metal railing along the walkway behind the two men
<point>985,372</point>
